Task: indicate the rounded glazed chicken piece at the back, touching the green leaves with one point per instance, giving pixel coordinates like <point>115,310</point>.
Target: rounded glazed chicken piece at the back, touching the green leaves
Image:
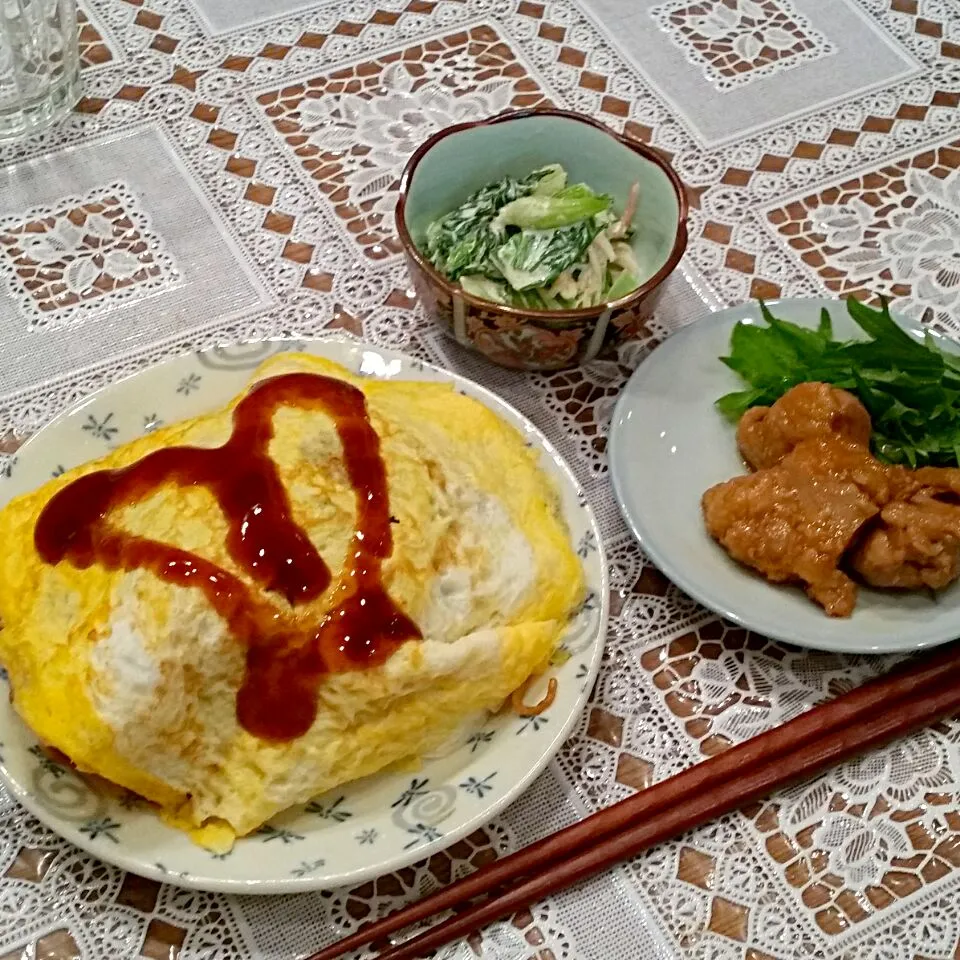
<point>765,435</point>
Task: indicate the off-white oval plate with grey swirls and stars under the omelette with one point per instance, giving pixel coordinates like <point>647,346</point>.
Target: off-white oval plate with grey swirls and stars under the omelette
<point>368,827</point>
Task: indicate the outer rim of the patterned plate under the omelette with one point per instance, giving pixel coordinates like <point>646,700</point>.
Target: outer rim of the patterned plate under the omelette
<point>492,809</point>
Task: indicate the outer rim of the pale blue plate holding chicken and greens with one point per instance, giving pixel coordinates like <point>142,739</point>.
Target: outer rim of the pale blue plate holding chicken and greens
<point>673,571</point>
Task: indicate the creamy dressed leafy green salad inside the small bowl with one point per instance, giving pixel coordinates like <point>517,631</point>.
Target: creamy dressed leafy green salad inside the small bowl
<point>538,243</point>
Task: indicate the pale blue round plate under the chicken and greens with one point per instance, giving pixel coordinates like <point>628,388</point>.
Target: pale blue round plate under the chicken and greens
<point>668,444</point>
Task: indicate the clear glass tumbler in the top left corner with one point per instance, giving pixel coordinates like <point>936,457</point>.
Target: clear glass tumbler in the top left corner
<point>39,64</point>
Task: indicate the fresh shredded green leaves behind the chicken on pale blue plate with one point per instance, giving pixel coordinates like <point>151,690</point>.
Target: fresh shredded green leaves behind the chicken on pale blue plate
<point>910,388</point>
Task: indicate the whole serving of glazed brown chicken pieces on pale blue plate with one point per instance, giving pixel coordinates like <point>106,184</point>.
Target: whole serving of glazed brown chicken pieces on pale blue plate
<point>803,512</point>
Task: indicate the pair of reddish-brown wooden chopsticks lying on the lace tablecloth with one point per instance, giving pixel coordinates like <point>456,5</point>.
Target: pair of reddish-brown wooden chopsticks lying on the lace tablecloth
<point>926,690</point>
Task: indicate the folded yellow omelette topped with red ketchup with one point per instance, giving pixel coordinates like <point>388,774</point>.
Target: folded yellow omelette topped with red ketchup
<point>329,577</point>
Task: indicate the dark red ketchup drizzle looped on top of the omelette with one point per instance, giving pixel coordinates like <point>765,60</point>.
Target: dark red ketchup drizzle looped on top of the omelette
<point>288,652</point>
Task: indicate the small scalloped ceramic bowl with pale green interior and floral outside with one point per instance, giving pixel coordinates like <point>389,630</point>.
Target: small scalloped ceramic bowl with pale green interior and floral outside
<point>460,159</point>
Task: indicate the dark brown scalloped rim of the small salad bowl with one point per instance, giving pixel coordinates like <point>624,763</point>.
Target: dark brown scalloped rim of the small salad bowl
<point>556,316</point>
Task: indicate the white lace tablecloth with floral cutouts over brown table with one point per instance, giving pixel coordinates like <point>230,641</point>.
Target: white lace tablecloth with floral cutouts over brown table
<point>253,154</point>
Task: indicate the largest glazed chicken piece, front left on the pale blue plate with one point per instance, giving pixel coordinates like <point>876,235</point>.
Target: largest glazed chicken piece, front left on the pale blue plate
<point>793,523</point>
